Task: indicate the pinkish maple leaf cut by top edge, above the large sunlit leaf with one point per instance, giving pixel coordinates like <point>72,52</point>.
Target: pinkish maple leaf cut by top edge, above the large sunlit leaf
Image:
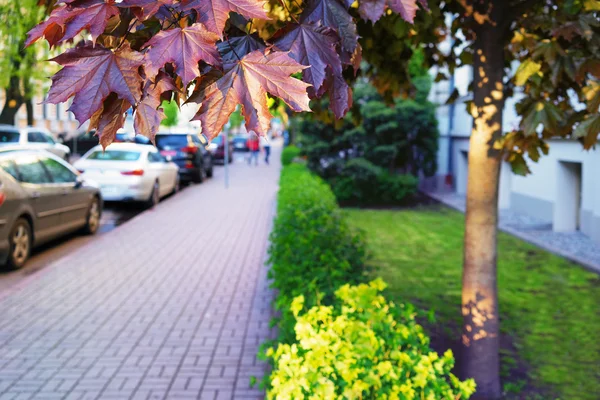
<point>214,13</point>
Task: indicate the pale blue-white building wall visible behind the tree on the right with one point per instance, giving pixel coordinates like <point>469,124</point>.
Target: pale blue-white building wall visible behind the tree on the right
<point>563,189</point>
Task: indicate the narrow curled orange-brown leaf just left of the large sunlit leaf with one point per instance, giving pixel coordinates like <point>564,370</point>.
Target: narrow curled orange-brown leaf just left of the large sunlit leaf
<point>148,115</point>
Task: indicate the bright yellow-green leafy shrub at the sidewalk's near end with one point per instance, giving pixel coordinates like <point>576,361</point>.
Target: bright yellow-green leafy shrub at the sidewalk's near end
<point>361,347</point>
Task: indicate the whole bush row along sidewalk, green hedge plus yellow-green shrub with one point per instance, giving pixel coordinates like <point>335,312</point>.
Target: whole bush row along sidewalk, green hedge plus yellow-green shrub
<point>338,336</point>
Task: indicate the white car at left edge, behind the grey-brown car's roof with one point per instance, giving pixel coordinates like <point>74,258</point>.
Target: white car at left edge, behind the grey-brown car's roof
<point>34,139</point>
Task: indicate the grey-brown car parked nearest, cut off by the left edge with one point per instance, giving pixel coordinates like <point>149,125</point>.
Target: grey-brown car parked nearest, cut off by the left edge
<point>41,198</point>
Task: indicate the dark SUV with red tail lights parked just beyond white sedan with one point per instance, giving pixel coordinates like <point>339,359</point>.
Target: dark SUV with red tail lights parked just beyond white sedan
<point>189,153</point>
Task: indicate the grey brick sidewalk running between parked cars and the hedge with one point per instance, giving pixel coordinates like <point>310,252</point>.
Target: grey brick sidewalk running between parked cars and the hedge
<point>173,304</point>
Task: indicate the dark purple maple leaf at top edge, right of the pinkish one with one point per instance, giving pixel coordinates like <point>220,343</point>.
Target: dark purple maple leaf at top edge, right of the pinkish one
<point>333,14</point>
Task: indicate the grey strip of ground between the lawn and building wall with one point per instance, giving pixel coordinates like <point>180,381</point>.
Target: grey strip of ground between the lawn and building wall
<point>574,246</point>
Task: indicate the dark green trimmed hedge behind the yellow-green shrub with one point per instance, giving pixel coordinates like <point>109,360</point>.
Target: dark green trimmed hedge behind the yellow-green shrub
<point>313,251</point>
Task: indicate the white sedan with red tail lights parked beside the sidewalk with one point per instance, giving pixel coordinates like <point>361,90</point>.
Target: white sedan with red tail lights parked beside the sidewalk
<point>130,172</point>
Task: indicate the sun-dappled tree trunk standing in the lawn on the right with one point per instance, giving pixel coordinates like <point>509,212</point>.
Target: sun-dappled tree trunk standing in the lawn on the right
<point>480,334</point>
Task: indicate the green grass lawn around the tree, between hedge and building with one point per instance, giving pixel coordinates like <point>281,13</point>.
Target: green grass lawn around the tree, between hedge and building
<point>550,308</point>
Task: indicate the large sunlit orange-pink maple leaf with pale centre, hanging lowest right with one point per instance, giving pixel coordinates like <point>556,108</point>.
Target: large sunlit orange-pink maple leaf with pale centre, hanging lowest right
<point>247,84</point>
